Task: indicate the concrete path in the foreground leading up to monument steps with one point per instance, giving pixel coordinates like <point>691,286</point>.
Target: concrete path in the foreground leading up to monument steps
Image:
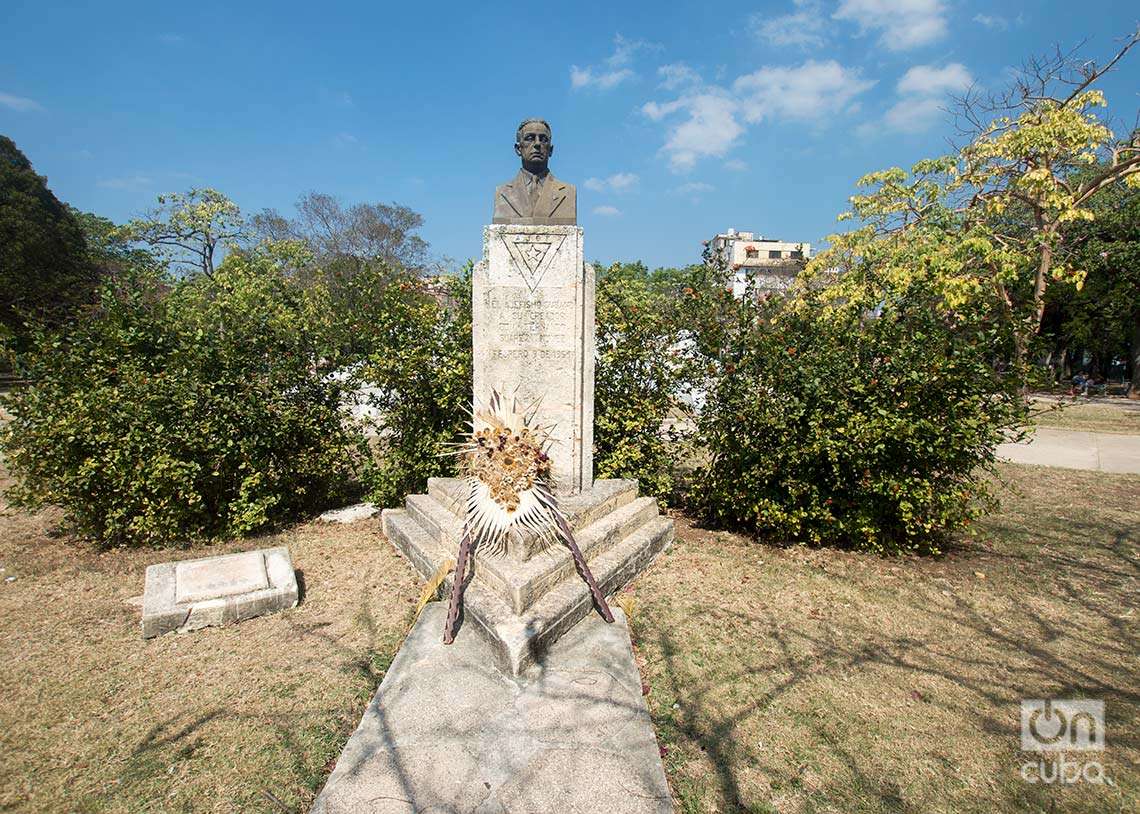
<point>447,731</point>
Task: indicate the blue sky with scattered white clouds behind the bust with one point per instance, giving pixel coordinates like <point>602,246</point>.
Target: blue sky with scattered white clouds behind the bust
<point>675,120</point>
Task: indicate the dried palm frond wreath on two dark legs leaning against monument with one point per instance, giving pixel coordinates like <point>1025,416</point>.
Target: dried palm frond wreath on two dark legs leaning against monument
<point>508,474</point>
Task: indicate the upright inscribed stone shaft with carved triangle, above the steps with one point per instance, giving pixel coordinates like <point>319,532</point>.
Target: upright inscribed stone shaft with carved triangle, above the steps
<point>533,333</point>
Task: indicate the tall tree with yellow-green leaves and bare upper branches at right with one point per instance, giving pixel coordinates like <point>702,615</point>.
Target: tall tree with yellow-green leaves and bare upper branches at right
<point>987,222</point>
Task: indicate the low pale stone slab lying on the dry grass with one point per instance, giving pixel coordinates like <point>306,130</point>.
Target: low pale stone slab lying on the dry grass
<point>193,595</point>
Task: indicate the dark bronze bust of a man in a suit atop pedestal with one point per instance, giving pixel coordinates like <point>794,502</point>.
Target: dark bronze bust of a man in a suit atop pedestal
<point>535,197</point>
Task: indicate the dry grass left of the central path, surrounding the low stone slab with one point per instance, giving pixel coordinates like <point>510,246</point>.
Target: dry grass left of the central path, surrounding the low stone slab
<point>241,719</point>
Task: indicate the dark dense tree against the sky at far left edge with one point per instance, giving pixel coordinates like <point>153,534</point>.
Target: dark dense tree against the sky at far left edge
<point>45,270</point>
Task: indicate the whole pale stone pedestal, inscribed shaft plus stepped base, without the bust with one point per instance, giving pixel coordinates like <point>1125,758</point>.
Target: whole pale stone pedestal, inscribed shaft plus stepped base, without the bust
<point>533,328</point>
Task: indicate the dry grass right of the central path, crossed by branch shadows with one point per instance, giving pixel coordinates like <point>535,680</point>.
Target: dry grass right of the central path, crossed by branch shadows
<point>816,681</point>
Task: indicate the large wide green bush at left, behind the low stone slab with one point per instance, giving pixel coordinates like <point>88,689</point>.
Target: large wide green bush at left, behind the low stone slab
<point>182,410</point>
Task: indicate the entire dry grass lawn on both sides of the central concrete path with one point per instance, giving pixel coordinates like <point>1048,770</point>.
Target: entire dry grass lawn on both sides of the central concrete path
<point>780,680</point>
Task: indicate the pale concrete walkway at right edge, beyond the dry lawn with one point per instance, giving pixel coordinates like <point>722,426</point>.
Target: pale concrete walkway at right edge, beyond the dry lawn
<point>1101,452</point>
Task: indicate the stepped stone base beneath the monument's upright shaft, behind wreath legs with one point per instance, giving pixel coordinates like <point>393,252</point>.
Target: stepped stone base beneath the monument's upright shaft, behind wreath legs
<point>522,603</point>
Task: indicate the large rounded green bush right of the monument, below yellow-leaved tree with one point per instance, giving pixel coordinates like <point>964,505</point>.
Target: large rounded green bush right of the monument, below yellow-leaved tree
<point>838,427</point>
